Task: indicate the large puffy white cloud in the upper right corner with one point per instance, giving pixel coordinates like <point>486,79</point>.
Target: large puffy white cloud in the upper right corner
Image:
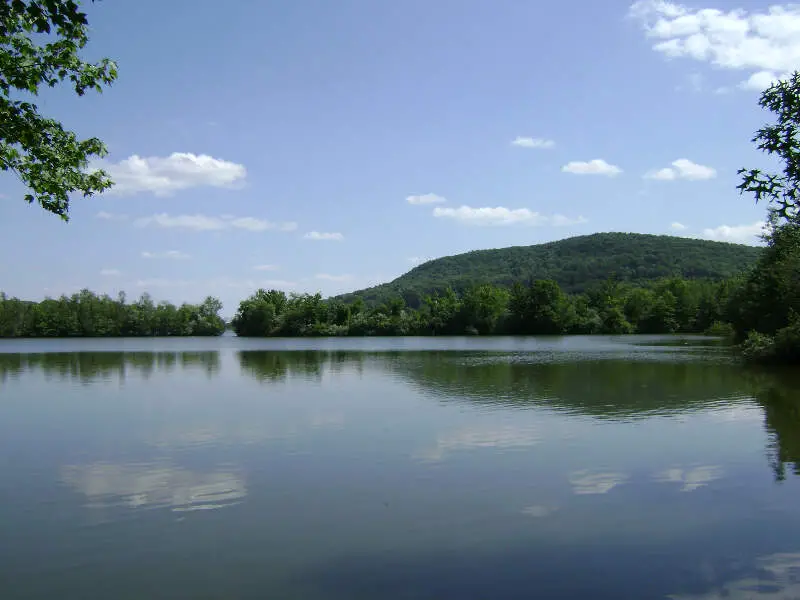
<point>765,43</point>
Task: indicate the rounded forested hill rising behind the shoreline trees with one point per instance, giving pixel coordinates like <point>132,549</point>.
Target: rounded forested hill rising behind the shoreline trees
<point>576,263</point>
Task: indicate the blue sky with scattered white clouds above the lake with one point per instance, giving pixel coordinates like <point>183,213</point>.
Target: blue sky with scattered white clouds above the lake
<point>328,146</point>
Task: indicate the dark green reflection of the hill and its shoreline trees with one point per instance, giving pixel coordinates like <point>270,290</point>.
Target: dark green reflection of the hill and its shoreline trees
<point>608,389</point>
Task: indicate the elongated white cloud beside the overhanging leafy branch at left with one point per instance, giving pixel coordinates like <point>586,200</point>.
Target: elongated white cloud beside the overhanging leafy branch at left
<point>163,176</point>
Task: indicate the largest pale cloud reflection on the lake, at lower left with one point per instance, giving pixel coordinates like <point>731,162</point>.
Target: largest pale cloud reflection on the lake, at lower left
<point>162,485</point>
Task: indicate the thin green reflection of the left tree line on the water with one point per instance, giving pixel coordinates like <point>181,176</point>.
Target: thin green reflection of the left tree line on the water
<point>90,366</point>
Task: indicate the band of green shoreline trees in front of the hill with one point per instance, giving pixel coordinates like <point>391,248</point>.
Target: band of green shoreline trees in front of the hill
<point>538,308</point>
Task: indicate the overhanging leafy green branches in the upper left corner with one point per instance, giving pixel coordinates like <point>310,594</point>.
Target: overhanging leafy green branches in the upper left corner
<point>50,160</point>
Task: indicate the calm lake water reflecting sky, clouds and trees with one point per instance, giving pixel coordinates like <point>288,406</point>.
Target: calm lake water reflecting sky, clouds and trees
<point>383,469</point>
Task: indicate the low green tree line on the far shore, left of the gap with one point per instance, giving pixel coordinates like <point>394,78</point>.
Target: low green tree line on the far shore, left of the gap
<point>87,315</point>
